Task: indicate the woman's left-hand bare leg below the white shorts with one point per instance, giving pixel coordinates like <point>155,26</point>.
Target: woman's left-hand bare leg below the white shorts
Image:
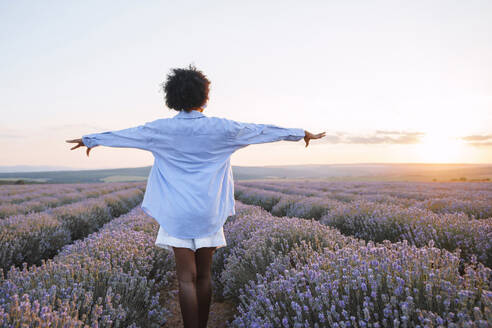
<point>186,272</point>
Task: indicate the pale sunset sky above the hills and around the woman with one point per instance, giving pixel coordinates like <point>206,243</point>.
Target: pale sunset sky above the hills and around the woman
<point>389,81</point>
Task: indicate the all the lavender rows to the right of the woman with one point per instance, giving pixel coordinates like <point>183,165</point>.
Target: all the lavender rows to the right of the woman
<point>361,254</point>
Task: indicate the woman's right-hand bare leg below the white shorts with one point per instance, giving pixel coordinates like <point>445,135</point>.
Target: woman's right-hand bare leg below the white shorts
<point>203,259</point>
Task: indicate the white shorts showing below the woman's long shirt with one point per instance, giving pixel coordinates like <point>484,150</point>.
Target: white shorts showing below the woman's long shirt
<point>164,240</point>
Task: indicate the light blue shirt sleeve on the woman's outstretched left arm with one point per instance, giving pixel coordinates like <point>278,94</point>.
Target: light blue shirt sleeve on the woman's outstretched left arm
<point>140,137</point>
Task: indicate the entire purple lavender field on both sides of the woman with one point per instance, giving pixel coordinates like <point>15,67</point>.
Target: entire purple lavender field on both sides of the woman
<point>299,254</point>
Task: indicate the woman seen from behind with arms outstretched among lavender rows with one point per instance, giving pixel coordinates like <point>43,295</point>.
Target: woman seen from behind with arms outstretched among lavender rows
<point>190,190</point>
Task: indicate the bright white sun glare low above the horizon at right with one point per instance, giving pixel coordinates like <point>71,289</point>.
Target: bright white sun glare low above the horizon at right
<point>441,148</point>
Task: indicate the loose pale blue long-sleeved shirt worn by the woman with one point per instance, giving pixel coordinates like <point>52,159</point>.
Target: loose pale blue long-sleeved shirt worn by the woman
<point>190,189</point>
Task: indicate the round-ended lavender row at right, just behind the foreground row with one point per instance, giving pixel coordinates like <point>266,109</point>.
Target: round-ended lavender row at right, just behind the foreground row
<point>378,222</point>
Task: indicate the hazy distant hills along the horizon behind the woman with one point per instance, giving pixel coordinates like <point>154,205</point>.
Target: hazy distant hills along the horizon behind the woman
<point>330,172</point>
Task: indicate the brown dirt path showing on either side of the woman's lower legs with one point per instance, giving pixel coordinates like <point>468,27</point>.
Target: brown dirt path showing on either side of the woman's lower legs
<point>220,312</point>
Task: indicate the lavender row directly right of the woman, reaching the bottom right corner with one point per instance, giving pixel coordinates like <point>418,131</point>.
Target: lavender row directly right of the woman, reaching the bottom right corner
<point>291,272</point>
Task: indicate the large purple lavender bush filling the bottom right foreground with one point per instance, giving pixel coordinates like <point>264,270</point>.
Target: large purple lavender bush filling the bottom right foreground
<point>373,285</point>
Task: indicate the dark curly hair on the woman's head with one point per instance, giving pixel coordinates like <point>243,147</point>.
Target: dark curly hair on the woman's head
<point>186,88</point>
